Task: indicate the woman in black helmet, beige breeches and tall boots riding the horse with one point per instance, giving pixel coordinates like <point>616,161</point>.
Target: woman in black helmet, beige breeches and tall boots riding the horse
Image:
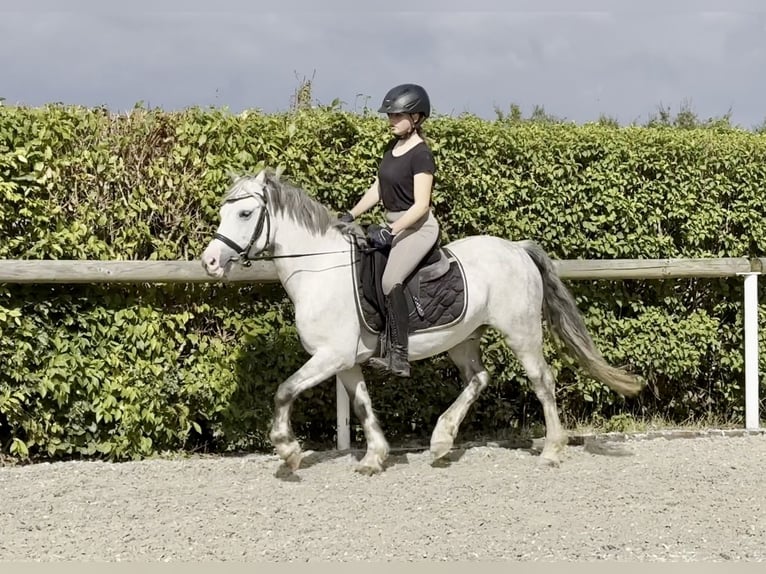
<point>404,184</point>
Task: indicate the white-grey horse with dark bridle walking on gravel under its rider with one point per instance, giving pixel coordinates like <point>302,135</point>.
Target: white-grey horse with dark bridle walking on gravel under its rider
<point>512,286</point>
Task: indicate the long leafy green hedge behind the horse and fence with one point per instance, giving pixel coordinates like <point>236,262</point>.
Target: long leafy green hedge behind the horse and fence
<point>127,371</point>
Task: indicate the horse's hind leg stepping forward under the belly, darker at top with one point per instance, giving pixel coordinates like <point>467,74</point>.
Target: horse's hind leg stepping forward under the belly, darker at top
<point>467,357</point>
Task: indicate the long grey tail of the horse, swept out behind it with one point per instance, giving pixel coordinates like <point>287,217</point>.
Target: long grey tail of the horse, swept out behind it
<point>565,320</point>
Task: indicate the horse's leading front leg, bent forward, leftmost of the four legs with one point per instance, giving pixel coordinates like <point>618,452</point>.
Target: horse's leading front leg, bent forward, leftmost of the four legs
<point>317,369</point>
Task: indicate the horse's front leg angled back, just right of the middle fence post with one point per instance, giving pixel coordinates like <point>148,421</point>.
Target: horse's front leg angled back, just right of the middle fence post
<point>377,447</point>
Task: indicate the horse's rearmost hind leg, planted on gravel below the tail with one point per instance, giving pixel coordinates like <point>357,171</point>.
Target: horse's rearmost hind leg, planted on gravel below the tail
<point>529,351</point>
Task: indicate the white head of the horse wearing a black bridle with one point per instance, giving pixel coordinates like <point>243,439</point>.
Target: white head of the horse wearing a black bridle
<point>245,227</point>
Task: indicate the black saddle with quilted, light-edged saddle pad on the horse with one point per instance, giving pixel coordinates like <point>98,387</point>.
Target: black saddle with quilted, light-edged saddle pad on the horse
<point>435,290</point>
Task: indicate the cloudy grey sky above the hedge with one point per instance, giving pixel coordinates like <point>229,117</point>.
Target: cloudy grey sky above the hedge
<point>577,58</point>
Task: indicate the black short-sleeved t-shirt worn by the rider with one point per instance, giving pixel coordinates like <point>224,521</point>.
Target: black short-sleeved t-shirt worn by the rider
<point>396,175</point>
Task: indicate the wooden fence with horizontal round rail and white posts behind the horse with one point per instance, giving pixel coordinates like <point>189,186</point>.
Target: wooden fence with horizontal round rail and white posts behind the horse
<point>86,271</point>
